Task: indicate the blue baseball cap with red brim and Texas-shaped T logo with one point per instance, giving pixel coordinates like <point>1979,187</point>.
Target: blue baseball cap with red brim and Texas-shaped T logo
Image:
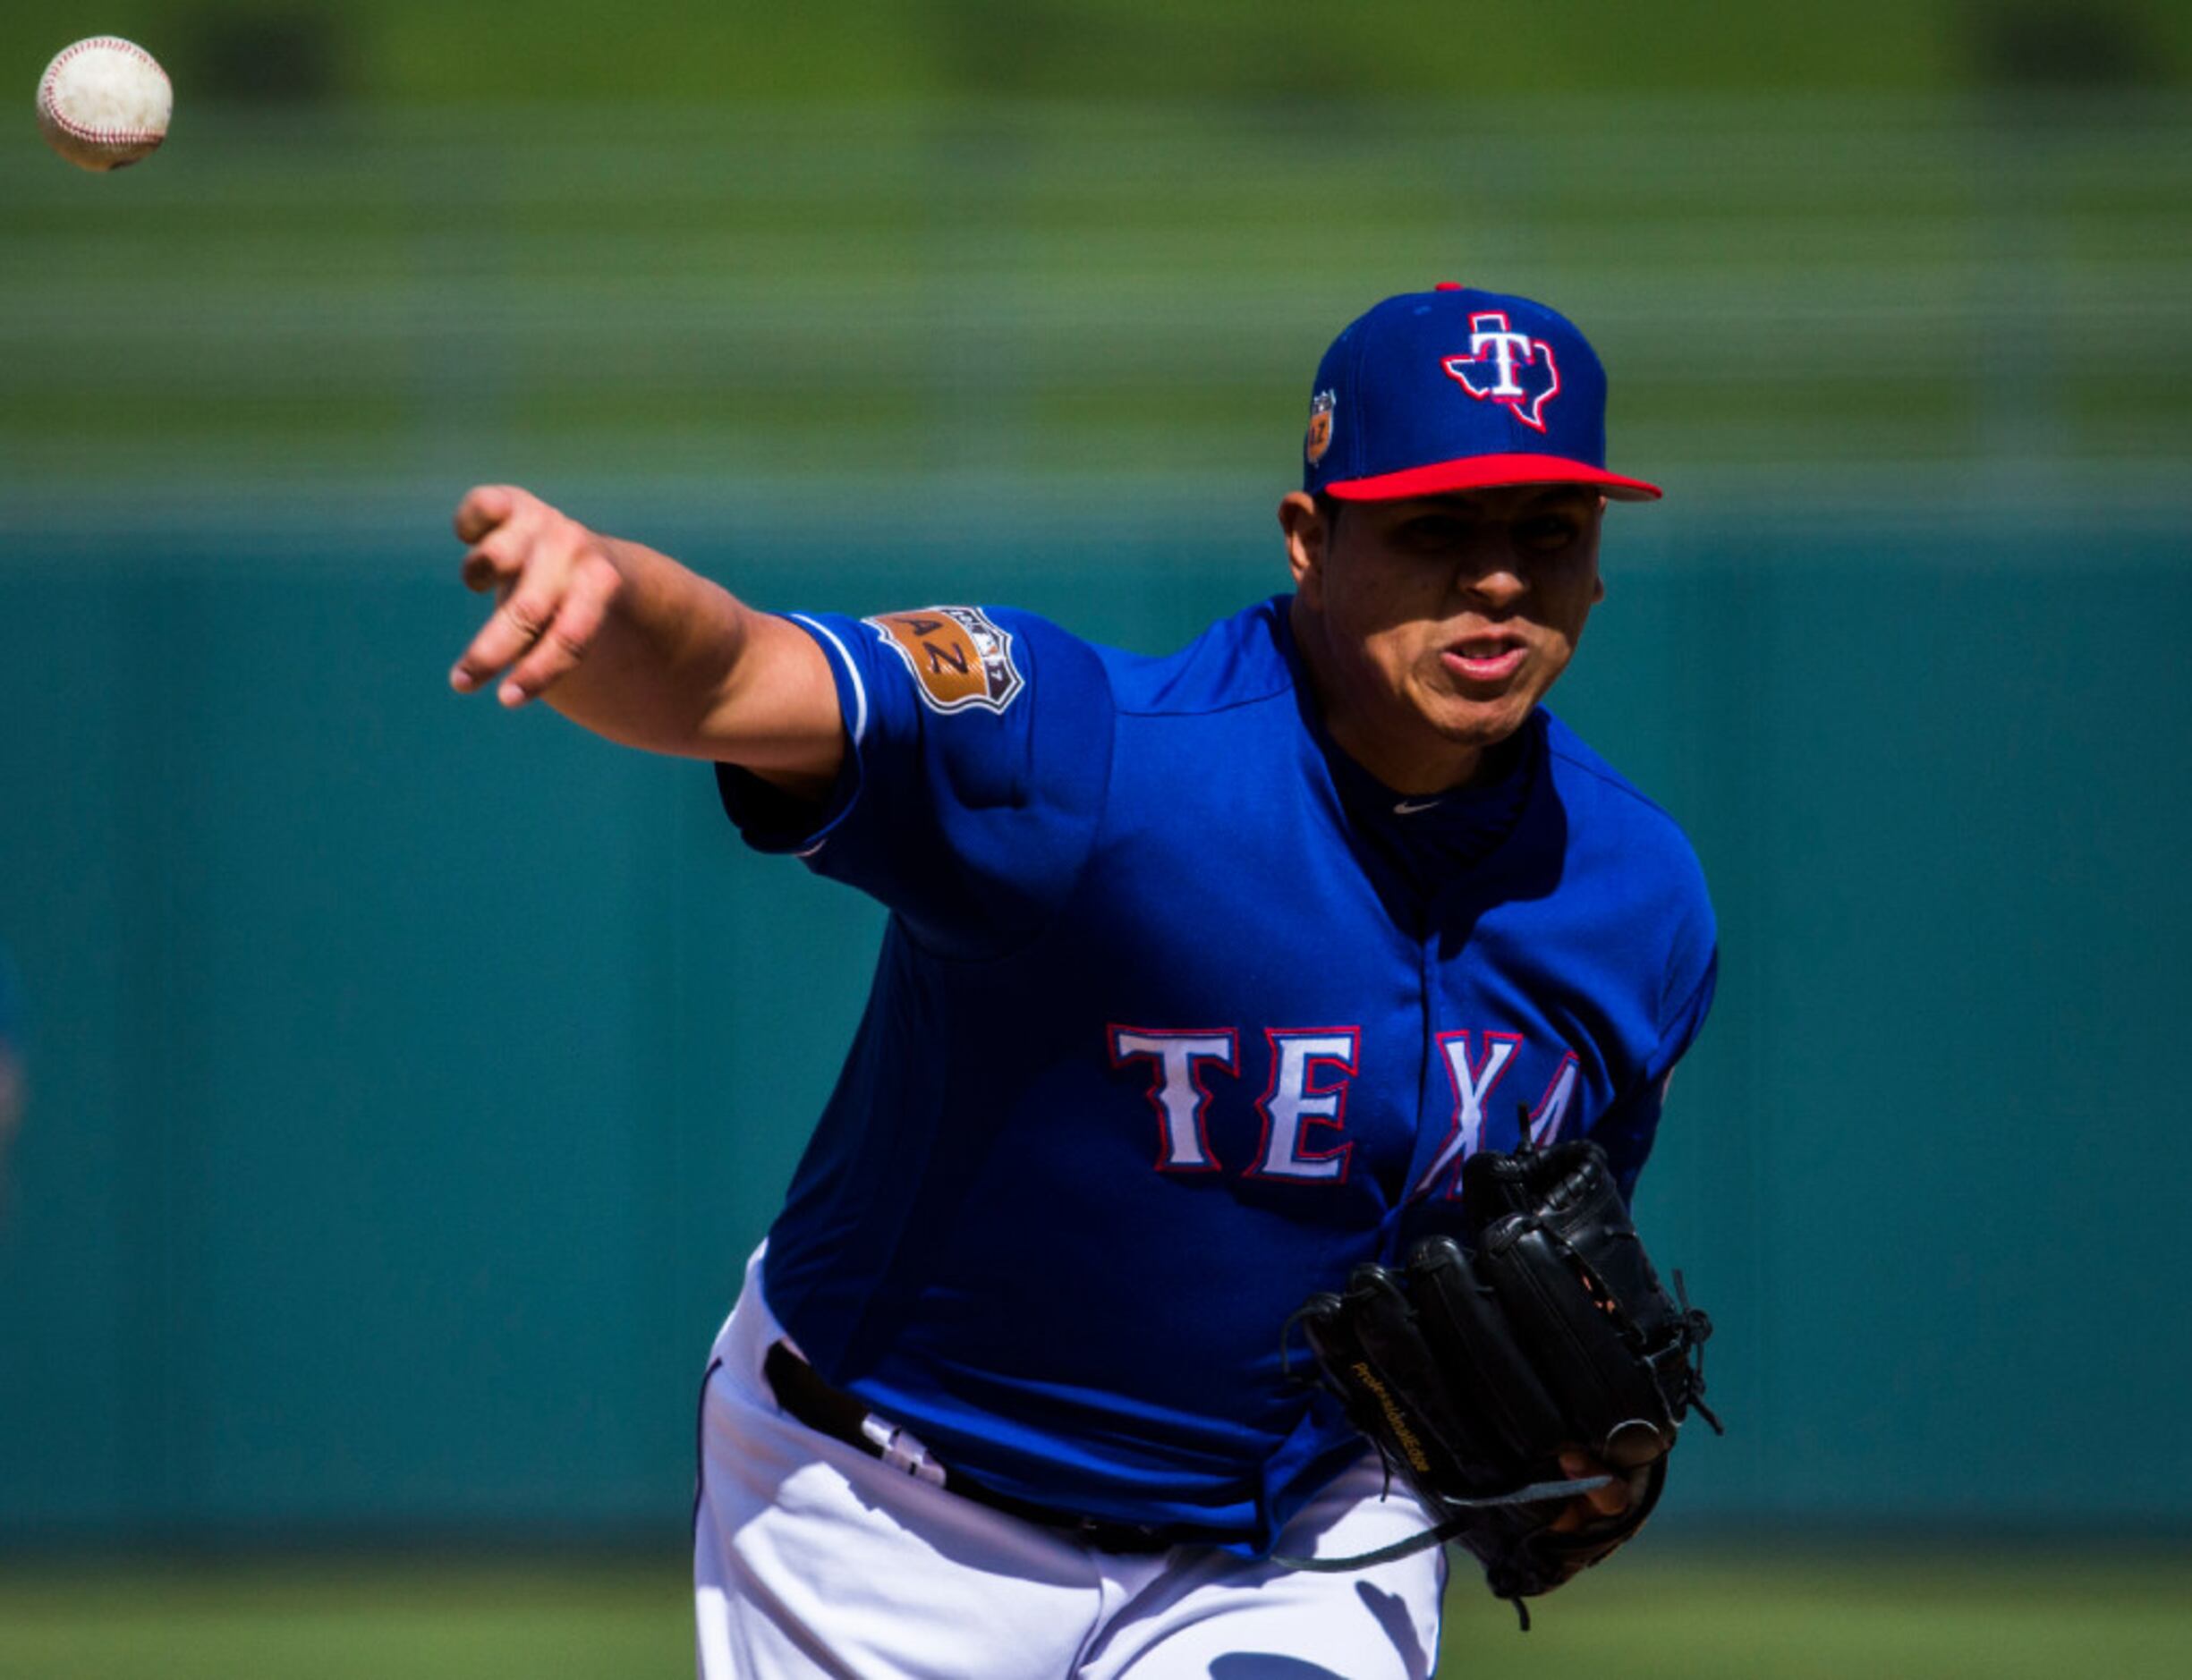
<point>1459,391</point>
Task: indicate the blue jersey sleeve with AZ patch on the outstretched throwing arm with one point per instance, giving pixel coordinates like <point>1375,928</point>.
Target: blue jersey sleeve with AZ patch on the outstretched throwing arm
<point>979,752</point>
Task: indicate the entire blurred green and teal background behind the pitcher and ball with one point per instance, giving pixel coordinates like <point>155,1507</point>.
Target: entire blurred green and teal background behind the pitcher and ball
<point>402,1083</point>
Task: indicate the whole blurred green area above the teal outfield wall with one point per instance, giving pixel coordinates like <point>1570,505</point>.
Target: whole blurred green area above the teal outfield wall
<point>1086,238</point>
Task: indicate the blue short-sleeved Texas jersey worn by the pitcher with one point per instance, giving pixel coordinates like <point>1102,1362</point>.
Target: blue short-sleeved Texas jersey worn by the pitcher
<point>1178,1017</point>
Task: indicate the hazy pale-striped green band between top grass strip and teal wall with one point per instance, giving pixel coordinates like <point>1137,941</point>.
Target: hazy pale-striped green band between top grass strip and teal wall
<point>1073,290</point>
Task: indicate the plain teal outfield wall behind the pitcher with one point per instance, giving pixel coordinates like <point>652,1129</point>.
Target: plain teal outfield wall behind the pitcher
<point>411,1081</point>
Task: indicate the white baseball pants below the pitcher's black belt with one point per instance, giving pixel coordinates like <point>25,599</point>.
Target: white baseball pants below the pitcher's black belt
<point>812,1558</point>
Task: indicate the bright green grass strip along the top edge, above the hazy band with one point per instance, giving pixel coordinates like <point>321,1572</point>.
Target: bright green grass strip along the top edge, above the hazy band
<point>705,54</point>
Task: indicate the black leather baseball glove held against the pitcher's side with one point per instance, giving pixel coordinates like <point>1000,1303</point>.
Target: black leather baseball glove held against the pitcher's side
<point>1474,1370</point>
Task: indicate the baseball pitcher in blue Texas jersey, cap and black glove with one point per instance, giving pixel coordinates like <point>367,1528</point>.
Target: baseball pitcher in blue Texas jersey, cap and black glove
<point>1224,1197</point>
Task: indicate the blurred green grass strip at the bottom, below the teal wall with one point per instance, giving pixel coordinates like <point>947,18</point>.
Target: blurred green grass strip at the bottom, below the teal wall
<point>1678,1615</point>
